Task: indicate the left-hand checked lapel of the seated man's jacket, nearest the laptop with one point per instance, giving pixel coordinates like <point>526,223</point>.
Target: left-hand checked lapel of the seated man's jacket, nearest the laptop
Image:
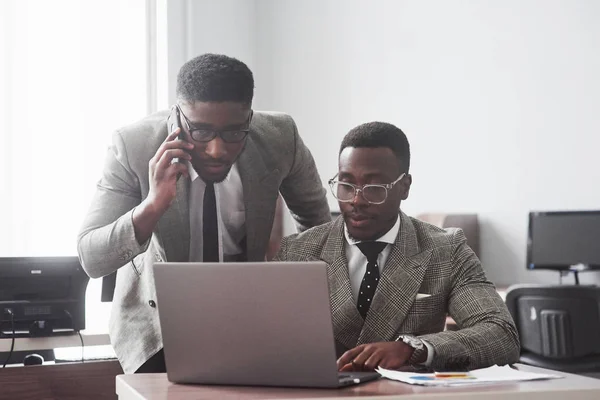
<point>347,322</point>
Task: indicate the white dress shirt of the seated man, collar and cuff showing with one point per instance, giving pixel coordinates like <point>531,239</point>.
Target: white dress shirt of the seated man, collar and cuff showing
<point>357,266</point>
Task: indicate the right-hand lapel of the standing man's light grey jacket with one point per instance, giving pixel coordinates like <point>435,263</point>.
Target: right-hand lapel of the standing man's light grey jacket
<point>261,188</point>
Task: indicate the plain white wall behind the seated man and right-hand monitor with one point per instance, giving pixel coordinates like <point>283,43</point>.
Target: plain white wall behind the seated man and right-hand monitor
<point>500,101</point>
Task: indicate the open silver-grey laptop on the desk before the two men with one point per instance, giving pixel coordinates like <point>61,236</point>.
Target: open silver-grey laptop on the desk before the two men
<point>253,324</point>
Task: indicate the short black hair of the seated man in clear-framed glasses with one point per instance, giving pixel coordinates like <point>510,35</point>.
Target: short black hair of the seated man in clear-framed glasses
<point>380,134</point>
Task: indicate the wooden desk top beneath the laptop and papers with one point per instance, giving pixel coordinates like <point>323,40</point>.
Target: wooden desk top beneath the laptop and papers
<point>156,386</point>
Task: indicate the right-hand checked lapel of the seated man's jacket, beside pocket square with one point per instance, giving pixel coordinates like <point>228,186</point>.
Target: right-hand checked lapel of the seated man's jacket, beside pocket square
<point>398,286</point>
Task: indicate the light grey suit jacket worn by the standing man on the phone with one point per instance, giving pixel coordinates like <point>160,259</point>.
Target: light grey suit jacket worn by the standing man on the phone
<point>273,160</point>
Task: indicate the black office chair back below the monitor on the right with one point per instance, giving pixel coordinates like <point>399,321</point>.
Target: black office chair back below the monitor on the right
<point>559,326</point>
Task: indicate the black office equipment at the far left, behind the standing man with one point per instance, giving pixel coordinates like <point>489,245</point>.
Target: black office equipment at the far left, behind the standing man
<point>45,294</point>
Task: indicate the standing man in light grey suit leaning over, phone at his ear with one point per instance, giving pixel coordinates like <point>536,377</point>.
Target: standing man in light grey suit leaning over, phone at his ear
<point>203,191</point>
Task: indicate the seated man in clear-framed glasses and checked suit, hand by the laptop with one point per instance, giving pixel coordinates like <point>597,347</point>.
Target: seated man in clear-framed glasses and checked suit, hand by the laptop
<point>393,278</point>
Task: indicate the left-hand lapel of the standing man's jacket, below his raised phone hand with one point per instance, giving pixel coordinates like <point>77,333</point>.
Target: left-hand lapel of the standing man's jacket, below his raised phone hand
<point>174,225</point>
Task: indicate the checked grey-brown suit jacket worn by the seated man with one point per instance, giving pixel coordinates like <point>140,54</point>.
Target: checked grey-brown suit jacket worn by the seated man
<point>424,259</point>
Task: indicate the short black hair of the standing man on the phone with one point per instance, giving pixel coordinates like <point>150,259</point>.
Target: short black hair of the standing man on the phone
<point>215,78</point>
